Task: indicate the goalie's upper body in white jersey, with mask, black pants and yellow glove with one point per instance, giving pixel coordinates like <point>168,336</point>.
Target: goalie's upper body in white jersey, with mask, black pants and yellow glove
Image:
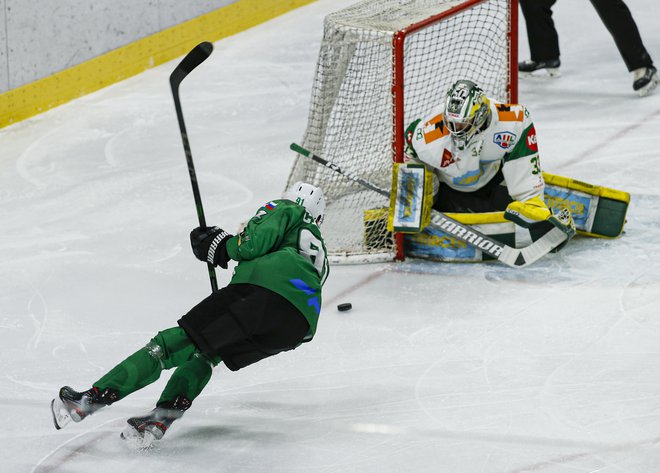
<point>485,156</point>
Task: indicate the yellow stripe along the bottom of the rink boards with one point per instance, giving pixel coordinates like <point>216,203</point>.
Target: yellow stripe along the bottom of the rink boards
<point>134,58</point>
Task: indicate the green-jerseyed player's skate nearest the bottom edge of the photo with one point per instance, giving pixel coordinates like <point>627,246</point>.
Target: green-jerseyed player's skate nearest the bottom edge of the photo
<point>145,430</point>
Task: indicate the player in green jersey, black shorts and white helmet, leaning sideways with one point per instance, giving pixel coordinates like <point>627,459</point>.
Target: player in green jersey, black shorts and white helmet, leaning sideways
<point>272,304</point>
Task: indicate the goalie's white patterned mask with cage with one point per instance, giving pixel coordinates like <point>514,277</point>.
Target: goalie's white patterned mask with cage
<point>467,111</point>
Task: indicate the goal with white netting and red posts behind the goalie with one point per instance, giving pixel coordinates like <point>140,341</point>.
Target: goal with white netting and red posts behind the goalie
<point>383,64</point>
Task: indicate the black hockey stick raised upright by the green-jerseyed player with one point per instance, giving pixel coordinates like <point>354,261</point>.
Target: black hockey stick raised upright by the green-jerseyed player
<point>193,59</point>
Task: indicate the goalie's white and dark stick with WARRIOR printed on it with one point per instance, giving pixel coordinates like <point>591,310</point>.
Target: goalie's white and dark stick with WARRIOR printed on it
<point>515,257</point>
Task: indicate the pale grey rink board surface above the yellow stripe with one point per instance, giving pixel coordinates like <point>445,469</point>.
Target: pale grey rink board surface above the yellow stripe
<point>41,37</point>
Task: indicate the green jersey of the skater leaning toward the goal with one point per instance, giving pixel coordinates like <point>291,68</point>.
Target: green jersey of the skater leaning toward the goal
<point>282,249</point>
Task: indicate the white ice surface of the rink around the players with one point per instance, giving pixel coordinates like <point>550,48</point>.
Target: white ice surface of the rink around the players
<point>438,368</point>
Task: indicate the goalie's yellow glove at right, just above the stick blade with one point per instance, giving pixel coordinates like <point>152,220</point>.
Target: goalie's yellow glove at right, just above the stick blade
<point>535,216</point>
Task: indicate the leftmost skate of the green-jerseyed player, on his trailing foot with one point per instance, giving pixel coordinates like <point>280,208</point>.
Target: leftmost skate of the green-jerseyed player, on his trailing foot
<point>71,405</point>
